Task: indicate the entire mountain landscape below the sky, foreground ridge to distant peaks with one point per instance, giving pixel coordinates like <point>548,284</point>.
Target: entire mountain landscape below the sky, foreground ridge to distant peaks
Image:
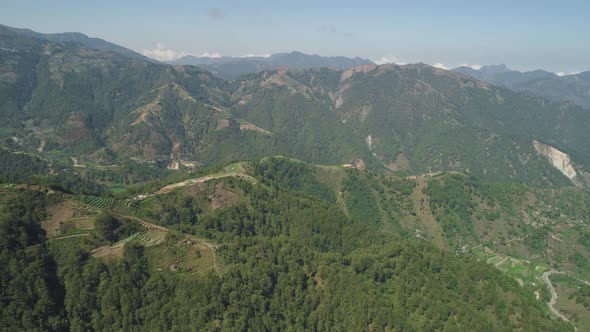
<point>298,193</point>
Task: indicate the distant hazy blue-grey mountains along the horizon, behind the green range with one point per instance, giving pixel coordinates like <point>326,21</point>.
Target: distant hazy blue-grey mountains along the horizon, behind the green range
<point>574,87</point>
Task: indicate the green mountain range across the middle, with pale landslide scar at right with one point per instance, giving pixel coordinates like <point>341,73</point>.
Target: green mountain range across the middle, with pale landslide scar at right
<point>96,106</point>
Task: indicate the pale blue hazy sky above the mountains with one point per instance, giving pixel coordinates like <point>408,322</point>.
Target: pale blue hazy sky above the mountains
<point>525,35</point>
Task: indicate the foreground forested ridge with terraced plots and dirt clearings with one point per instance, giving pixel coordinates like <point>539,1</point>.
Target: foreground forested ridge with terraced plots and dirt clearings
<point>290,246</point>
